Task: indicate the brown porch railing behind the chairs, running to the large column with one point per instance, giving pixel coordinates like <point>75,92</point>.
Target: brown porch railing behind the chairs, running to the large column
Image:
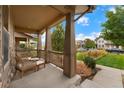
<point>53,57</point>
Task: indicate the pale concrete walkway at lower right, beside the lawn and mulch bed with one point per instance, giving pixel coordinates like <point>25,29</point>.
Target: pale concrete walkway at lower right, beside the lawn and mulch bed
<point>106,78</point>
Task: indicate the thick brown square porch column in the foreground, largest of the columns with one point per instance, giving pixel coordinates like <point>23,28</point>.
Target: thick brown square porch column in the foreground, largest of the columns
<point>69,47</point>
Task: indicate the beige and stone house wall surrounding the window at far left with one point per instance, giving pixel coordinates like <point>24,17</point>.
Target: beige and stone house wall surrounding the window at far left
<point>7,71</point>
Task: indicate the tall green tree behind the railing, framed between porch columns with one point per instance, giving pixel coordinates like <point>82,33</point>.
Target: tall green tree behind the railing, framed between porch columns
<point>58,37</point>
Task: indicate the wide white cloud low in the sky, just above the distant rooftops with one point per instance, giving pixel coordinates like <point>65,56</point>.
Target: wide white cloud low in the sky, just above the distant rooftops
<point>91,36</point>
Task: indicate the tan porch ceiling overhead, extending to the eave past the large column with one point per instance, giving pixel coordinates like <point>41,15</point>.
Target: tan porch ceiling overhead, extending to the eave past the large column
<point>35,18</point>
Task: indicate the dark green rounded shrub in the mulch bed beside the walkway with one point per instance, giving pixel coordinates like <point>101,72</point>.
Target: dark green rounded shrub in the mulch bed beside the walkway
<point>90,62</point>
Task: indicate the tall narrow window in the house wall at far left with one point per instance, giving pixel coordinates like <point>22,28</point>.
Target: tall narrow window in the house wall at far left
<point>5,35</point>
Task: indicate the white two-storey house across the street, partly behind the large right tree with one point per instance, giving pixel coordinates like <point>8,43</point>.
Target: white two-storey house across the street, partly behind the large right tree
<point>101,43</point>
